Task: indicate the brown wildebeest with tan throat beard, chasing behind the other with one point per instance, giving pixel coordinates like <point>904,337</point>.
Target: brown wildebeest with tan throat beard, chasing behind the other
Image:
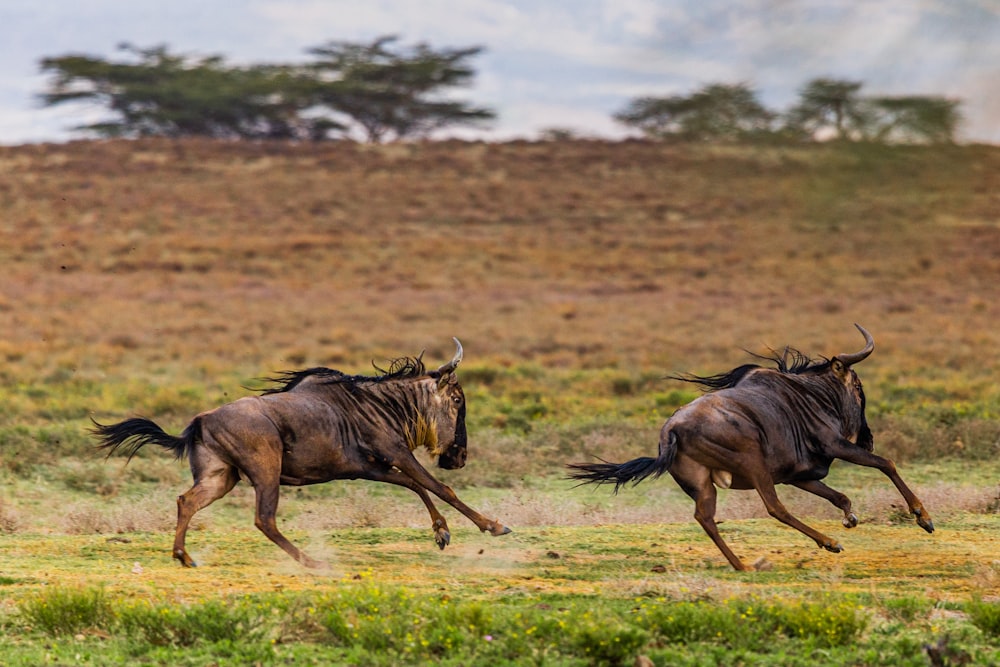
<point>315,426</point>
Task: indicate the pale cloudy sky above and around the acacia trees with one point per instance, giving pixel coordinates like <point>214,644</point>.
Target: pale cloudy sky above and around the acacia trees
<point>548,63</point>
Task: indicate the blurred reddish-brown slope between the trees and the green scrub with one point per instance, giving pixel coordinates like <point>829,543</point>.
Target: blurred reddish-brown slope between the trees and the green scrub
<point>124,257</point>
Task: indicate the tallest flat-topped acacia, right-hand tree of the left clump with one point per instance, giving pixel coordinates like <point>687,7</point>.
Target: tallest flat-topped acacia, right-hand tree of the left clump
<point>393,93</point>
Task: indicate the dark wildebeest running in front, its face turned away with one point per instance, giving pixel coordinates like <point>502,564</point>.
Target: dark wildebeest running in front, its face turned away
<point>758,427</point>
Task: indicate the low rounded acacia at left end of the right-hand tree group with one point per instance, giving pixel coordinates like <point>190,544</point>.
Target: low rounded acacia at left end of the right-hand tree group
<point>714,112</point>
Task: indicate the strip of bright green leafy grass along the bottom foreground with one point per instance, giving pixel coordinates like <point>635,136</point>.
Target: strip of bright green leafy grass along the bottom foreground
<point>366,622</point>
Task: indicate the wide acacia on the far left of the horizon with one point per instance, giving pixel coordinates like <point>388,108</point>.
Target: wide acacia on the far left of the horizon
<point>161,94</point>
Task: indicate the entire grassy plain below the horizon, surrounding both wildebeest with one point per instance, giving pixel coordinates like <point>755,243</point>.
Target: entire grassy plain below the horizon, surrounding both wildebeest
<point>165,278</point>
